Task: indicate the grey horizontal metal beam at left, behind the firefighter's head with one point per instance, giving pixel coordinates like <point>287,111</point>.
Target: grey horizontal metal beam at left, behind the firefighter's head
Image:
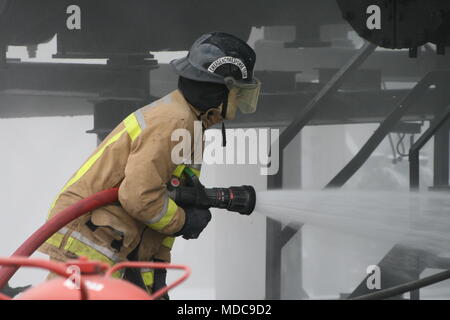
<point>106,80</point>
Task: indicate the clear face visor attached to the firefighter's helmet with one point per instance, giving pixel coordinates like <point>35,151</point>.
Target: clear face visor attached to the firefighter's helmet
<point>248,93</point>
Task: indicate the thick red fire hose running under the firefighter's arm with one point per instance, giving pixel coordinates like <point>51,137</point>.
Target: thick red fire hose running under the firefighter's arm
<point>56,223</point>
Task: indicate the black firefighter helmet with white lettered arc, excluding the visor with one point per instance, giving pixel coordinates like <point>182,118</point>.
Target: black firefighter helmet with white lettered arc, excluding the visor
<point>215,56</point>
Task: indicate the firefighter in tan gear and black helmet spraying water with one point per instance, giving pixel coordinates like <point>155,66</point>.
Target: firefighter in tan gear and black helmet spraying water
<point>215,79</point>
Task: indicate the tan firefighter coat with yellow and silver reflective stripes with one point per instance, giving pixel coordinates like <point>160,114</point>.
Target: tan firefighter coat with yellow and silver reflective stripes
<point>136,157</point>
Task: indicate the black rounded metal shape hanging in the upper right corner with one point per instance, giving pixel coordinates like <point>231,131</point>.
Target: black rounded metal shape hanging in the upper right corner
<point>402,24</point>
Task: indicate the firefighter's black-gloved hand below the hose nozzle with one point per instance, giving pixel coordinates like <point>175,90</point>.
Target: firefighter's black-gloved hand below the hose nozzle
<point>196,220</point>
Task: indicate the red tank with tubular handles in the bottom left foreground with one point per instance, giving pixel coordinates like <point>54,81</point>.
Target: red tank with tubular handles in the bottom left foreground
<point>92,280</point>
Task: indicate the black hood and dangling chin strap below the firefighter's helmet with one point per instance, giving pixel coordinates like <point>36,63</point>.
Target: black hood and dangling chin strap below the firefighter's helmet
<point>204,96</point>
